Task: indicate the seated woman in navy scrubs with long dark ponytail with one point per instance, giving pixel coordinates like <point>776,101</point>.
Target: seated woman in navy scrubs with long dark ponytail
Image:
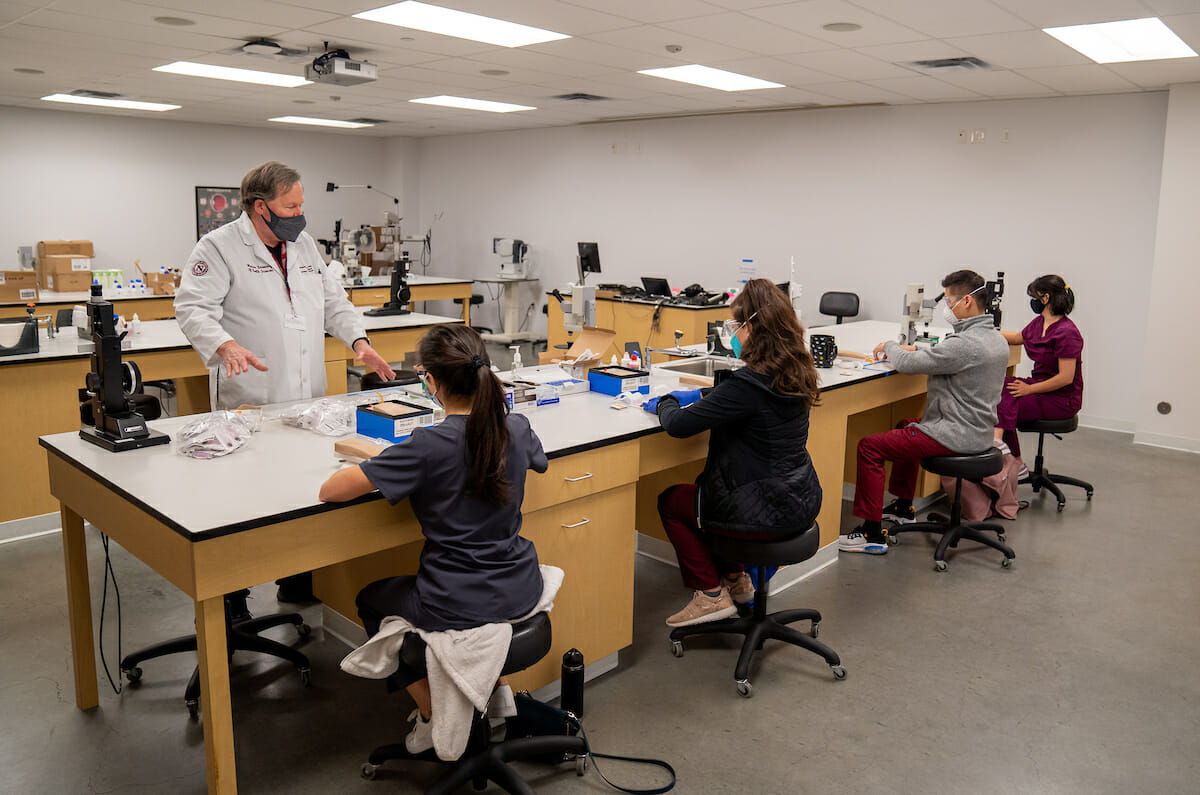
<point>465,481</point>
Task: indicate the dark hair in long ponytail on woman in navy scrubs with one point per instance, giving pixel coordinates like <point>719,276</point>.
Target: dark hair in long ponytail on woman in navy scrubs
<point>458,360</point>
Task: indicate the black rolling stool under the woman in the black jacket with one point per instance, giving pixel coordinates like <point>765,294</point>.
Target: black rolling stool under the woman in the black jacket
<point>758,625</point>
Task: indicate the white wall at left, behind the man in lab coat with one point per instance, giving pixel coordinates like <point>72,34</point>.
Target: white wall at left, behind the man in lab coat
<point>129,184</point>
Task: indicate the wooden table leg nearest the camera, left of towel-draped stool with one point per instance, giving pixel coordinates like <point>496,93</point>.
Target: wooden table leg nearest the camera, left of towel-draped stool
<point>215,701</point>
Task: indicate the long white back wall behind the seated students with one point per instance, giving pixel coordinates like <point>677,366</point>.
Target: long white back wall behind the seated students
<point>865,199</point>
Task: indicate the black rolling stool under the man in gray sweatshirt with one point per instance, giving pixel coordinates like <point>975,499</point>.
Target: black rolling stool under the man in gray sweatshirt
<point>974,468</point>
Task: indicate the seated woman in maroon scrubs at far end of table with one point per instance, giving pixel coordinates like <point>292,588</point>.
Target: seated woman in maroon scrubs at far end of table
<point>1055,390</point>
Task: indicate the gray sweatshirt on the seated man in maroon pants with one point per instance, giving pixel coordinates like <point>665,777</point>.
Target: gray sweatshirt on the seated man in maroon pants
<point>967,375</point>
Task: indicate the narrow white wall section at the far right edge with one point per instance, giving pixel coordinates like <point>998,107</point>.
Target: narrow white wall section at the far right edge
<point>1169,373</point>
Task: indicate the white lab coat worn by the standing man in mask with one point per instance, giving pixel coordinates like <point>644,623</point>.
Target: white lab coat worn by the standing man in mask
<point>232,289</point>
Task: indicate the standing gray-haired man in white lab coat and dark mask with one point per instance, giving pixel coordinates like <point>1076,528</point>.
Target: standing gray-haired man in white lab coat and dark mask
<point>256,301</point>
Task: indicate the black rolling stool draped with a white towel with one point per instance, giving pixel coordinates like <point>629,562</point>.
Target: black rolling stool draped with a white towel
<point>485,761</point>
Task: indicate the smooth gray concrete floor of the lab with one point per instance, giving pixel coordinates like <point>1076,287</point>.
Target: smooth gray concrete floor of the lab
<point>1075,672</point>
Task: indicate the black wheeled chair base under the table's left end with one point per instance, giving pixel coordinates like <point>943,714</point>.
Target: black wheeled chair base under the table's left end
<point>242,635</point>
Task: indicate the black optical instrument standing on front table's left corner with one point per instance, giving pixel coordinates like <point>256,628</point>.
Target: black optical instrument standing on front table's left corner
<point>117,426</point>
